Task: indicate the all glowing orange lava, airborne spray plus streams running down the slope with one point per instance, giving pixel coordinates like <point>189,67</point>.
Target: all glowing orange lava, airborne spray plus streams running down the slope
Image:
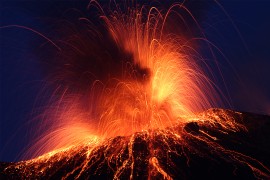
<point>149,100</point>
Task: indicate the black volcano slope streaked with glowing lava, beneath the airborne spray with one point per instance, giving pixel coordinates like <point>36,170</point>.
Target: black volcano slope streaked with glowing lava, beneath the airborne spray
<point>201,148</point>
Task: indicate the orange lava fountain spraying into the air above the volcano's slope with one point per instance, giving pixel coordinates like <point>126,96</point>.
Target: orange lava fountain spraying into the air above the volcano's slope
<point>155,82</point>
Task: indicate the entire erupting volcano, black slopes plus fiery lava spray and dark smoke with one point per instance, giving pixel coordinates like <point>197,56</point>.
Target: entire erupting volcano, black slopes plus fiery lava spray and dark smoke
<point>125,85</point>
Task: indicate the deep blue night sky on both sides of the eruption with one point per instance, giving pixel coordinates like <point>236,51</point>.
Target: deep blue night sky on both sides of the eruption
<point>244,41</point>
